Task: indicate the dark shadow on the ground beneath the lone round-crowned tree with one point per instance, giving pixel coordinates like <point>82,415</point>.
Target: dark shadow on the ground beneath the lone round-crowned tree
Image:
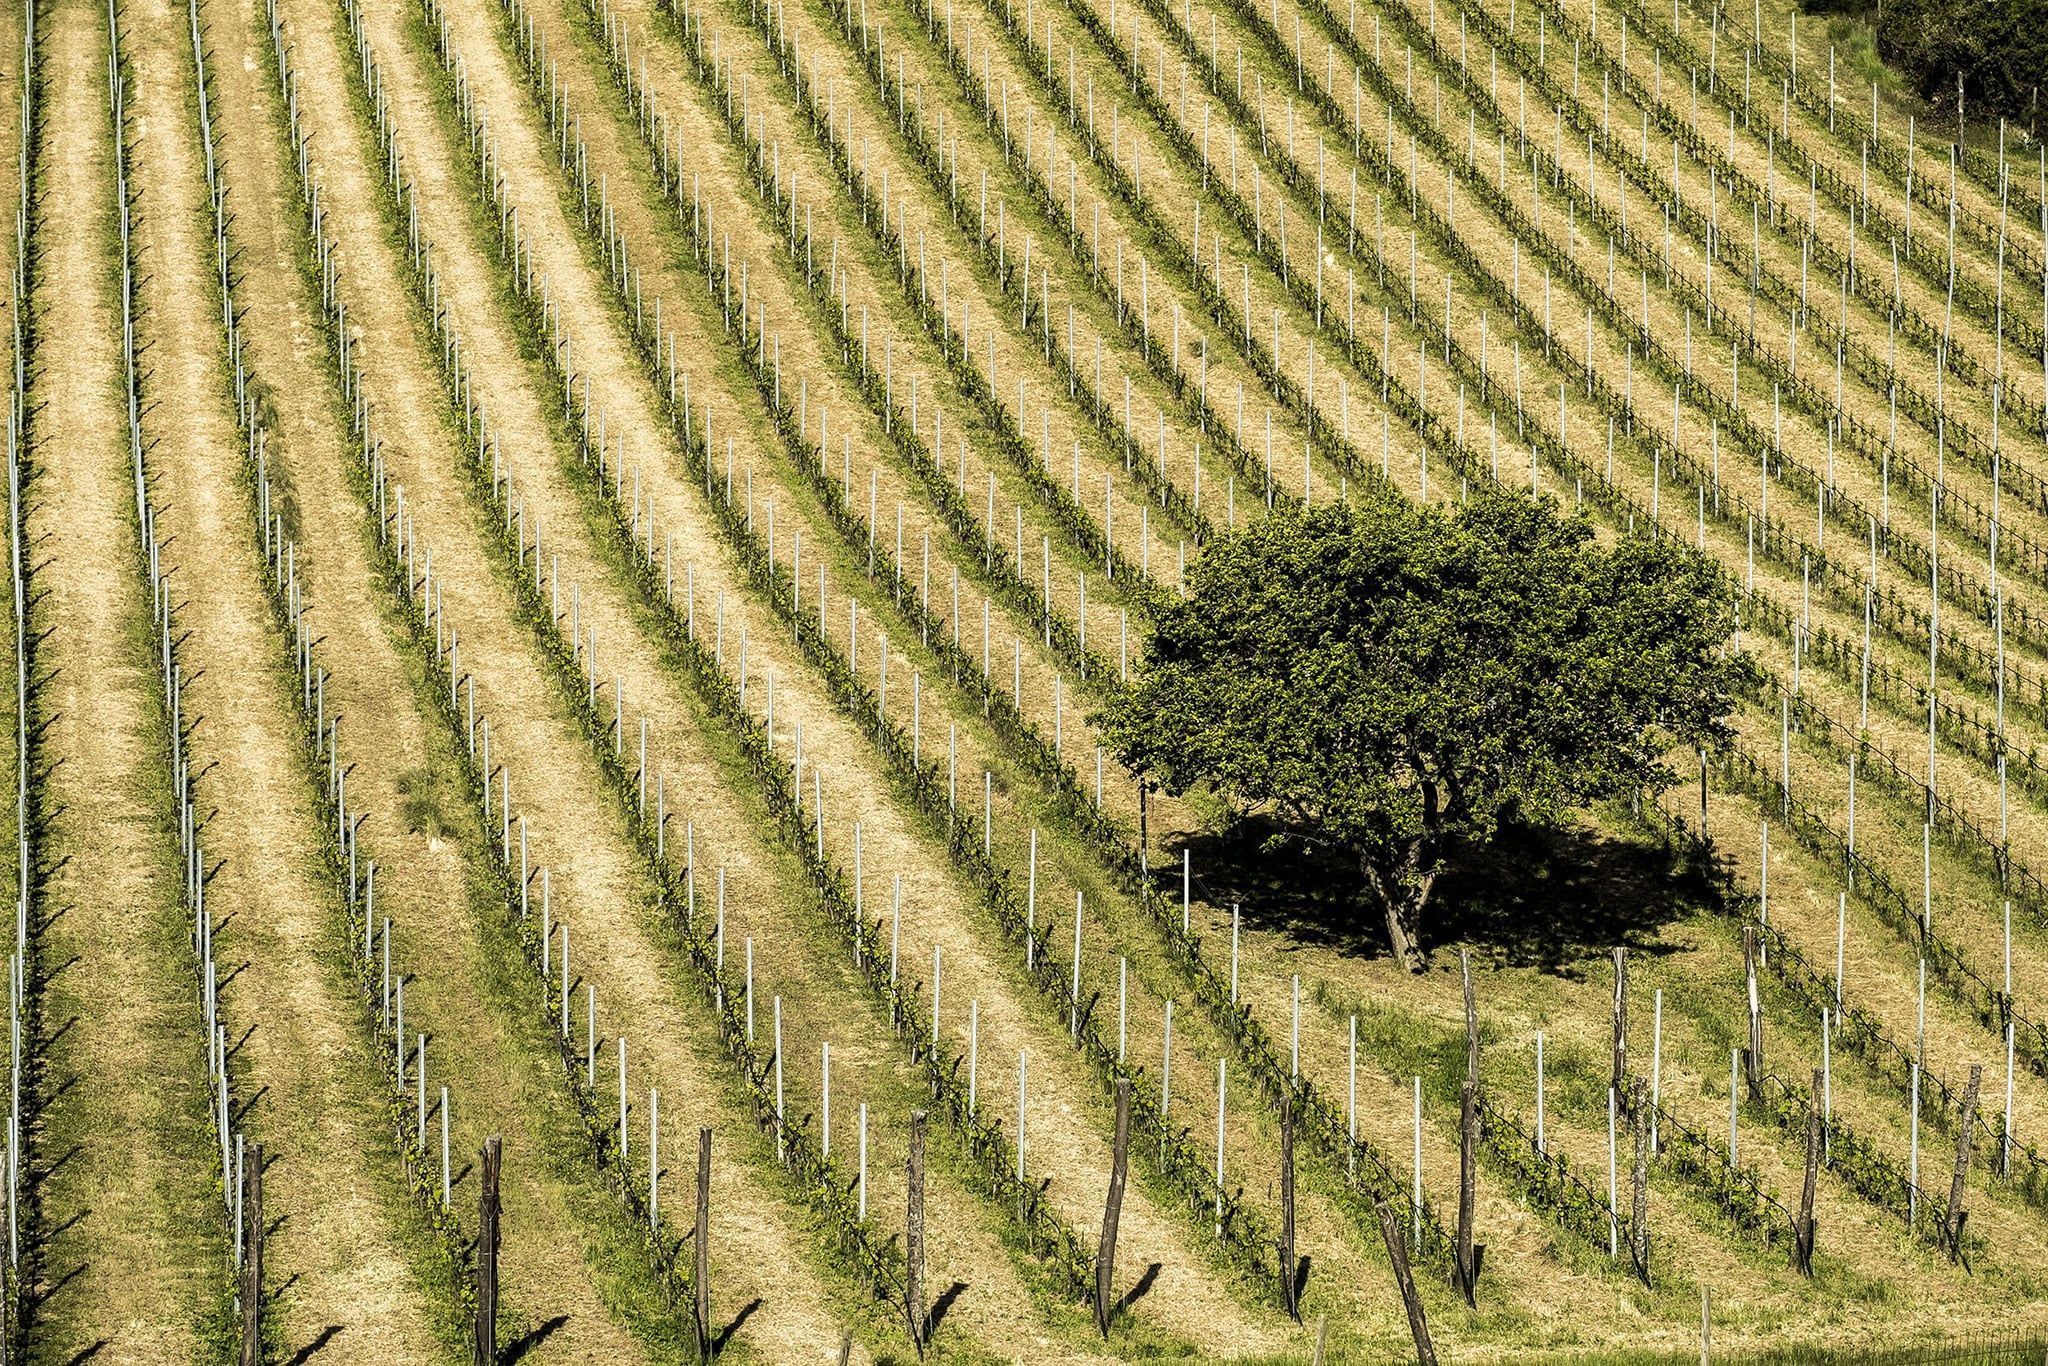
<point>1545,898</point>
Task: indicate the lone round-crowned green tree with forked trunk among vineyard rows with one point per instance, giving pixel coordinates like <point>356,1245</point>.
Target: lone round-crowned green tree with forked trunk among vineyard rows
<point>1390,681</point>
